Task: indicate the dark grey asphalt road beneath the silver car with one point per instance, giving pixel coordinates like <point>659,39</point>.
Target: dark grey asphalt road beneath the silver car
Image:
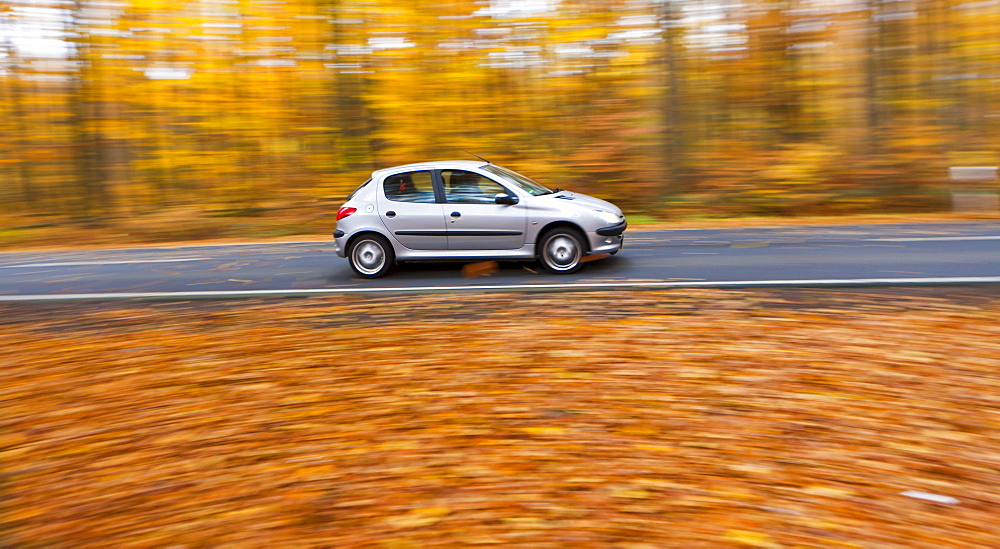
<point>788,256</point>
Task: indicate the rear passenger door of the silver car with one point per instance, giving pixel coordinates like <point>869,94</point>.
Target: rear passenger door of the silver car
<point>409,209</point>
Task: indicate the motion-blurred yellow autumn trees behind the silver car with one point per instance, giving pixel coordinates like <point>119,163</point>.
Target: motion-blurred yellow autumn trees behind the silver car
<point>114,108</point>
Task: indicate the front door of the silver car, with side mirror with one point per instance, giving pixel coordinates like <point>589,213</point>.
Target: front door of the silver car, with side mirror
<point>474,220</point>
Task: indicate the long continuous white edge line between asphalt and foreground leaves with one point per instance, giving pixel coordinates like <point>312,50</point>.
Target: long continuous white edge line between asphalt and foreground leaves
<point>503,288</point>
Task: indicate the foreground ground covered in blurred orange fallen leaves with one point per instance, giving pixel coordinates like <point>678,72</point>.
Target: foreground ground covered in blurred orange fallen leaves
<point>650,419</point>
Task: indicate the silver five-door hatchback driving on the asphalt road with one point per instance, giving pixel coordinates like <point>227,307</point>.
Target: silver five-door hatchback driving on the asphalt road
<point>469,211</point>
